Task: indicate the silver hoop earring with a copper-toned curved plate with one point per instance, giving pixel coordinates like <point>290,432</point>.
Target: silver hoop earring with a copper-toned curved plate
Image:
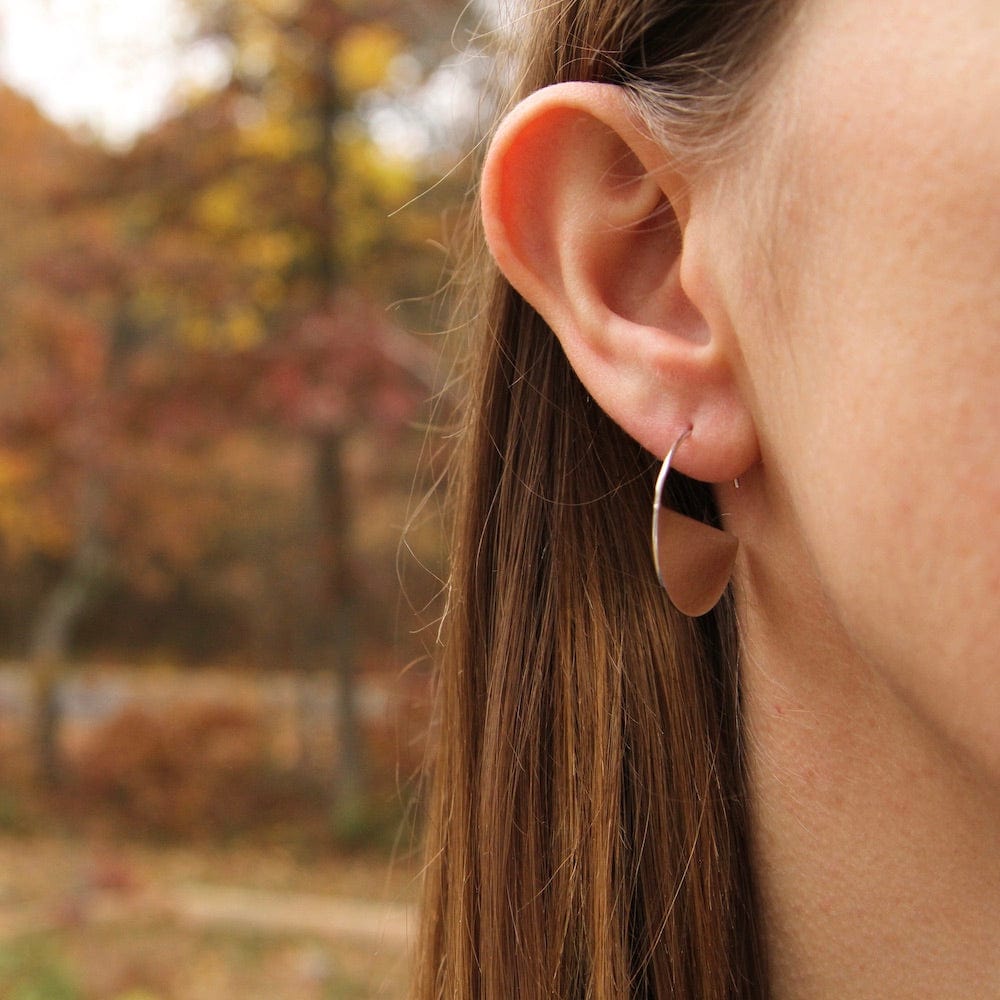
<point>693,560</point>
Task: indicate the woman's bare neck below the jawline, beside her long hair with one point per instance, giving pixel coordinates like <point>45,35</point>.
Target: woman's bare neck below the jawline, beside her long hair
<point>875,843</point>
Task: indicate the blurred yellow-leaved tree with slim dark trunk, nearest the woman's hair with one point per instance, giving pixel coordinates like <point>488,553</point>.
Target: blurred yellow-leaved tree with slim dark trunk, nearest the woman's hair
<point>303,197</point>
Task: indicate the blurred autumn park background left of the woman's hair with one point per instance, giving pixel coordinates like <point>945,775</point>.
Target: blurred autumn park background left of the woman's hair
<point>223,259</point>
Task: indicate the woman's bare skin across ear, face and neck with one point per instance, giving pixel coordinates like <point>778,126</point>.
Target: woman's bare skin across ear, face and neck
<point>829,324</point>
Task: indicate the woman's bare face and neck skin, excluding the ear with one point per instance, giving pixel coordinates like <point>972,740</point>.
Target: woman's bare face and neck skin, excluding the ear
<point>872,364</point>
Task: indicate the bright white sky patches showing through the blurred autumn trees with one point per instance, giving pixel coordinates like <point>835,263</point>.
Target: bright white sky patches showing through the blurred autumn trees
<point>112,67</point>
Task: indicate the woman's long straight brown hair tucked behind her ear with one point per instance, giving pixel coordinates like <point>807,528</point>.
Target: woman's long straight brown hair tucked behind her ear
<point>588,828</point>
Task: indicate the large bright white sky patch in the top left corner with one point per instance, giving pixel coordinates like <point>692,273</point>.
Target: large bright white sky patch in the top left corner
<point>108,66</point>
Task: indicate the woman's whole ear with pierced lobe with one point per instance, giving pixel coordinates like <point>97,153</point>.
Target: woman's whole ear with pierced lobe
<point>593,224</point>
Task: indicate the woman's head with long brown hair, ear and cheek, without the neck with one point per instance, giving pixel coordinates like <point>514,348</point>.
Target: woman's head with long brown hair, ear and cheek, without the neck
<point>729,217</point>
